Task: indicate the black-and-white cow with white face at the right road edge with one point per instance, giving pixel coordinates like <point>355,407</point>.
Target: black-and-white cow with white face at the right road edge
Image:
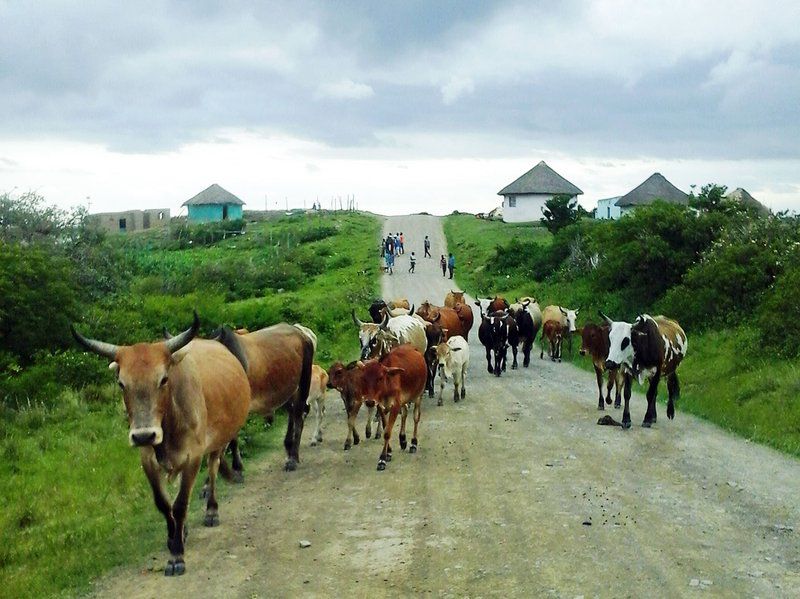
<point>650,348</point>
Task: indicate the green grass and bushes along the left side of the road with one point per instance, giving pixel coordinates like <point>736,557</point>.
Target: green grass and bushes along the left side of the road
<point>76,502</point>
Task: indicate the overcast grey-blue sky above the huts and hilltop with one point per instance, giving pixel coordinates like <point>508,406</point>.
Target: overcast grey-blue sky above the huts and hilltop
<point>412,105</point>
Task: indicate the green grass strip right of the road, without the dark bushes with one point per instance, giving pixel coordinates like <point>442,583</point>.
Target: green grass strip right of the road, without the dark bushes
<point>746,393</point>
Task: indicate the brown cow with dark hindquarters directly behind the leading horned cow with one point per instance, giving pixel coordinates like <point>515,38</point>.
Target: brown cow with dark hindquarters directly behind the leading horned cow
<point>279,360</point>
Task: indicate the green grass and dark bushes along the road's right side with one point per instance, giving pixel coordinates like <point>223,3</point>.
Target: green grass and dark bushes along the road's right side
<point>729,276</point>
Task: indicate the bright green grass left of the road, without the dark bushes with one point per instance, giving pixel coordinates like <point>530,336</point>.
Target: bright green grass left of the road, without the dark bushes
<point>75,501</point>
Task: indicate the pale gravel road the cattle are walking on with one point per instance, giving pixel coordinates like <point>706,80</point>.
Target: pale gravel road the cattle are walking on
<point>498,499</point>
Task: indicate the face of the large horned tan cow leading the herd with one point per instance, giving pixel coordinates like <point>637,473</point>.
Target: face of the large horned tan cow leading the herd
<point>143,375</point>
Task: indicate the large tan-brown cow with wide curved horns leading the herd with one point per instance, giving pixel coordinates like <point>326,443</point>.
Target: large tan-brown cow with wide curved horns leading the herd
<point>185,398</point>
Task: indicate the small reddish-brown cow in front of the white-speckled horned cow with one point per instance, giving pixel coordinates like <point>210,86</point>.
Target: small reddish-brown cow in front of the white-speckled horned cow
<point>393,382</point>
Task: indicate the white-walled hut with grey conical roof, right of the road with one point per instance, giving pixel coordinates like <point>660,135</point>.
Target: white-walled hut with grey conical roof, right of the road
<point>524,198</point>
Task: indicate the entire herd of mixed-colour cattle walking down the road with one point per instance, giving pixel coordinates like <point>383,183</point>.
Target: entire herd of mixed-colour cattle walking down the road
<point>187,397</point>
